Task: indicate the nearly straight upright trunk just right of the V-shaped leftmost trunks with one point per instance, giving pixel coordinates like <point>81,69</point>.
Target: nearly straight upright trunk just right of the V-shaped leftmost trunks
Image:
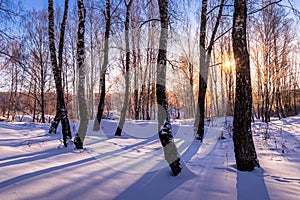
<point>83,111</point>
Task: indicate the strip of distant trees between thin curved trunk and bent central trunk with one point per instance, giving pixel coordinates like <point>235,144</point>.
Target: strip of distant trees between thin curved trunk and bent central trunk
<point>144,42</point>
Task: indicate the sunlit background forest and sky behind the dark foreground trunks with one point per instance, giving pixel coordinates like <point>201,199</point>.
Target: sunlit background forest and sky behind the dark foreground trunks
<point>28,83</point>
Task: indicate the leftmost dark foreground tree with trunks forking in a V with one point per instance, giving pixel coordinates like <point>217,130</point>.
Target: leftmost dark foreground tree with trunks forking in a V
<point>57,68</point>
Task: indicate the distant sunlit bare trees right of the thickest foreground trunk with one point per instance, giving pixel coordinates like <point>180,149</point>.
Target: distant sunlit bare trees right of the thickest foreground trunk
<point>271,47</point>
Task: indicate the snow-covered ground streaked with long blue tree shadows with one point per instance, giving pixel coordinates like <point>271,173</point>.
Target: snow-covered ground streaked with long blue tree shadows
<point>132,166</point>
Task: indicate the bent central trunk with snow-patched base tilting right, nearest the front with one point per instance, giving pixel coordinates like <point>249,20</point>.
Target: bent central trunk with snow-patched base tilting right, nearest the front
<point>164,126</point>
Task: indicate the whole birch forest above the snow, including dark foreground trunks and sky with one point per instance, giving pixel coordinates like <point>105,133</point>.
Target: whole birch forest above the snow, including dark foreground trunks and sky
<point>151,60</point>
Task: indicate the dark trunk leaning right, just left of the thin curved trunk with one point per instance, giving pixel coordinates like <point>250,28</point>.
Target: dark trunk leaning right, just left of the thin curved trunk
<point>103,70</point>
